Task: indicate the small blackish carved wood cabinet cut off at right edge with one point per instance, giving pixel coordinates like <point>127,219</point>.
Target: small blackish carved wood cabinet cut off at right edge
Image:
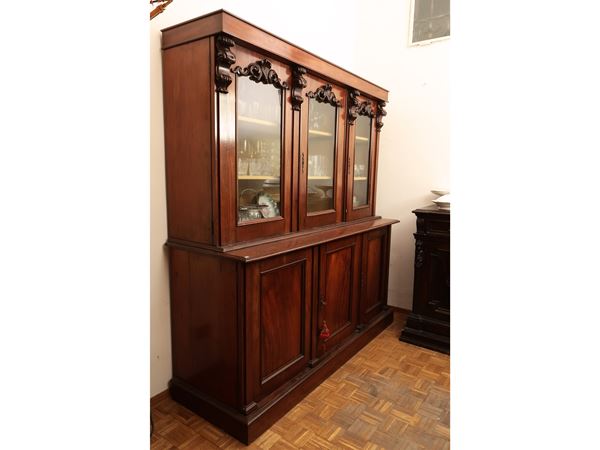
<point>428,325</point>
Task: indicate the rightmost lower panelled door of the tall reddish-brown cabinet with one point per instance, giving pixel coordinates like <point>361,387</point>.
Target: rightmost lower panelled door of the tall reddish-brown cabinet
<point>375,261</point>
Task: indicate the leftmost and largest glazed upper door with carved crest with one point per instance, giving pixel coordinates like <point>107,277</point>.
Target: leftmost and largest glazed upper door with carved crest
<point>254,134</point>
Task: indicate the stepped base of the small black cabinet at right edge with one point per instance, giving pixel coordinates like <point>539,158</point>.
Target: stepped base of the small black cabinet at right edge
<point>426,332</point>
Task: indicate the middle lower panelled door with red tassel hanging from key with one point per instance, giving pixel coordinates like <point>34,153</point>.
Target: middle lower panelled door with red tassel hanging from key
<point>337,299</point>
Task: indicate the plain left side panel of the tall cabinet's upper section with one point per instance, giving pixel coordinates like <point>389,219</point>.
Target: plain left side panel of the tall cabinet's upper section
<point>187,119</point>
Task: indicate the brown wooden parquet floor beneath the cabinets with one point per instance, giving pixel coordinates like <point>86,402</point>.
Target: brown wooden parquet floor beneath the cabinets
<point>390,395</point>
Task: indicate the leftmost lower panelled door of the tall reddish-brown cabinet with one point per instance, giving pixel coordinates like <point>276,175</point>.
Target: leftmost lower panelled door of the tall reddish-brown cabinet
<point>278,311</point>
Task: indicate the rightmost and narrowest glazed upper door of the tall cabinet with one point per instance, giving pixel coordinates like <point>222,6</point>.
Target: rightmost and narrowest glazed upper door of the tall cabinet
<point>362,159</point>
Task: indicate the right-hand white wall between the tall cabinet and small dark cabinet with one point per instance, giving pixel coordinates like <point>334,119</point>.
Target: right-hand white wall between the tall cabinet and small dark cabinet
<point>415,140</point>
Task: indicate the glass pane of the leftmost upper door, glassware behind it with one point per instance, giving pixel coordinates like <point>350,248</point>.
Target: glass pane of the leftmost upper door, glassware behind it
<point>258,150</point>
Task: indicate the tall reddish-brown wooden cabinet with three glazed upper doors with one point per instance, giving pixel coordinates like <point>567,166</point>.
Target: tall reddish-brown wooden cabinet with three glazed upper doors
<point>278,262</point>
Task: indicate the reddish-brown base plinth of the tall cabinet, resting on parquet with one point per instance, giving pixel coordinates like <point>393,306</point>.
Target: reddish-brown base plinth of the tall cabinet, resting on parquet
<point>246,428</point>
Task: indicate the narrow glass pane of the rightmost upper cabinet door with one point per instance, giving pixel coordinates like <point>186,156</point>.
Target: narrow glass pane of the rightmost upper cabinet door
<point>362,149</point>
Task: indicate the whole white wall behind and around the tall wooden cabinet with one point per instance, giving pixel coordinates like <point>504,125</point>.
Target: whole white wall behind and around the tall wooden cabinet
<point>414,150</point>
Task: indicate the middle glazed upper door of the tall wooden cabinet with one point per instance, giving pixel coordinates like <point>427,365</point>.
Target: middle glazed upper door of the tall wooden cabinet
<point>322,123</point>
